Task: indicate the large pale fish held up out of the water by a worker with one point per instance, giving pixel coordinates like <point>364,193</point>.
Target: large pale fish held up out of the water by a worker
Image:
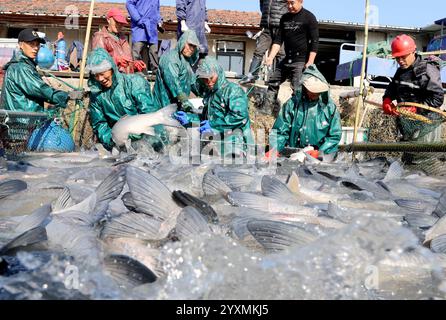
<point>143,124</point>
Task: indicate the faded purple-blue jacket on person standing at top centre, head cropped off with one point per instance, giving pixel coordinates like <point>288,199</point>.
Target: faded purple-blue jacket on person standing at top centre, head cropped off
<point>195,14</point>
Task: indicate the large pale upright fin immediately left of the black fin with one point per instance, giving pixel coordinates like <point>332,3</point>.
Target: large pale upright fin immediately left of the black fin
<point>150,195</point>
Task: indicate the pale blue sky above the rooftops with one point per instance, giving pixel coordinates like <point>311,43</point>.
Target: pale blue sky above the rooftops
<point>404,13</point>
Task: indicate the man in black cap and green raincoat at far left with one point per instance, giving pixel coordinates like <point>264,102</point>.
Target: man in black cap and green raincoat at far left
<point>23,88</point>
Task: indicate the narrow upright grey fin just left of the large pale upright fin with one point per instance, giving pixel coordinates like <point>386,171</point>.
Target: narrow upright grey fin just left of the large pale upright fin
<point>110,189</point>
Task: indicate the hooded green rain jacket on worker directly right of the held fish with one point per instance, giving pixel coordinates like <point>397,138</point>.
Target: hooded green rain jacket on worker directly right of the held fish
<point>225,106</point>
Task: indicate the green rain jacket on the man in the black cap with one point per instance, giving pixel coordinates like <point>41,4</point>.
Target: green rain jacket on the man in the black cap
<point>23,88</point>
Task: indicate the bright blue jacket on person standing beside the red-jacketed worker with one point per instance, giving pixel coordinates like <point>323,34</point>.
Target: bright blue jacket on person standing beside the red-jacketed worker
<point>145,16</point>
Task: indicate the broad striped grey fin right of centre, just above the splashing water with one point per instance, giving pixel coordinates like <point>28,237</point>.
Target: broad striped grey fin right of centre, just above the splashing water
<point>278,236</point>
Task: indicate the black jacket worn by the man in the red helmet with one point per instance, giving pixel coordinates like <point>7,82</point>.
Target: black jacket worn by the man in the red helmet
<point>420,83</point>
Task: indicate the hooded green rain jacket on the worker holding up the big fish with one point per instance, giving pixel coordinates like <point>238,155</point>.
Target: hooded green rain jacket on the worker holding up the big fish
<point>129,95</point>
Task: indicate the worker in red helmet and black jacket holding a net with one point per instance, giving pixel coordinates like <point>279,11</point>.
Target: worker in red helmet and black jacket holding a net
<point>419,81</point>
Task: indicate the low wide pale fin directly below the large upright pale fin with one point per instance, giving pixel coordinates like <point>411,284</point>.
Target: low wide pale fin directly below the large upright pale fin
<point>132,225</point>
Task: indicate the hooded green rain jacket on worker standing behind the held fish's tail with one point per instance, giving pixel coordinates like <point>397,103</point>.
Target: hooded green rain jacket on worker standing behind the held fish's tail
<point>175,77</point>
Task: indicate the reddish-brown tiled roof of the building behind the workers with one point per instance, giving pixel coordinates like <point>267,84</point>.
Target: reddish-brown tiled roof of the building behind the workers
<point>62,7</point>
